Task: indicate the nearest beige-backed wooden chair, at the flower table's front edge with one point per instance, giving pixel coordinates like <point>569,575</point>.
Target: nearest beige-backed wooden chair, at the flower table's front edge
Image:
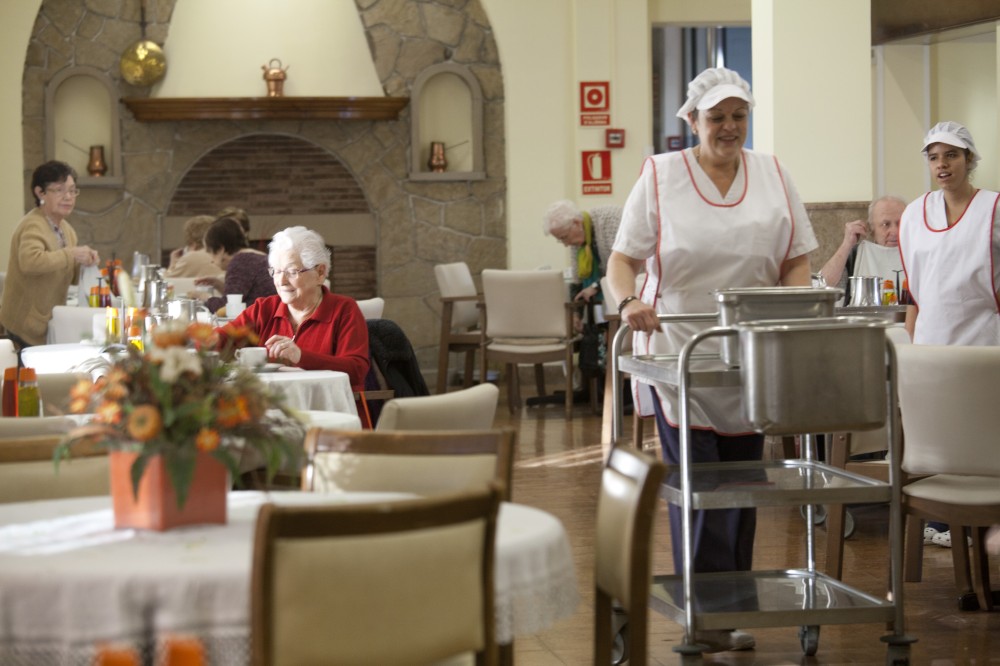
<point>383,583</point>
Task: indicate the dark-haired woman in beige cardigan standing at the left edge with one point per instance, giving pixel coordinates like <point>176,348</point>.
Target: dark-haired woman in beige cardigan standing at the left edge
<point>44,256</point>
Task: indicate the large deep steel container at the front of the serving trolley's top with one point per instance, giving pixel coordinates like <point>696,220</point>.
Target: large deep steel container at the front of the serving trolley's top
<point>813,375</point>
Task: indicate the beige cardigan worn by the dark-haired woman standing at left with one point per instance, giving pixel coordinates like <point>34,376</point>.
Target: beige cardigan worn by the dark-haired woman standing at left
<point>39,274</point>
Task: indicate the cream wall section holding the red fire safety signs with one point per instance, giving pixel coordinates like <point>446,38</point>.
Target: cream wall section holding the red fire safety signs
<point>543,61</point>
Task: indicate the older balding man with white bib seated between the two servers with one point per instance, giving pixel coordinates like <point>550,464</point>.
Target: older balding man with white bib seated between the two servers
<point>859,257</point>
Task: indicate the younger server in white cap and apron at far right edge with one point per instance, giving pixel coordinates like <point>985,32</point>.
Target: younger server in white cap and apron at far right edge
<point>949,240</point>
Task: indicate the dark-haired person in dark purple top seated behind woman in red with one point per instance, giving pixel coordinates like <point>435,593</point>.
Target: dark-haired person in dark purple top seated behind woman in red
<point>246,268</point>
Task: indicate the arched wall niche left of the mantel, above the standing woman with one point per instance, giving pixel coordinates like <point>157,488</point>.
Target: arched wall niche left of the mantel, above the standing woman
<point>81,115</point>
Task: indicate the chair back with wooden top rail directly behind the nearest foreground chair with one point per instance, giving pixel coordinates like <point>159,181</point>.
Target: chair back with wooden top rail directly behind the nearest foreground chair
<point>420,462</point>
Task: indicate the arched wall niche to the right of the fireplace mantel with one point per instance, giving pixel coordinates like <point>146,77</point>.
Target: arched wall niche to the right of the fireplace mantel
<point>446,107</point>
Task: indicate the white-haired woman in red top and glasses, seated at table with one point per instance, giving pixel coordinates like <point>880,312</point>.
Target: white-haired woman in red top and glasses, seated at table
<point>306,325</point>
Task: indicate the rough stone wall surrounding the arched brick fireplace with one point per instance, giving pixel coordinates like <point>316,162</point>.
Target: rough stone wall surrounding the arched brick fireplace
<point>419,224</point>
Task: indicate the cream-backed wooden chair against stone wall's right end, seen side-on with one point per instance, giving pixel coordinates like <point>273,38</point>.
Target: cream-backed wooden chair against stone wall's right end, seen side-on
<point>459,320</point>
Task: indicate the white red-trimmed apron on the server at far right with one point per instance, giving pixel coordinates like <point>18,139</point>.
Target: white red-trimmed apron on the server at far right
<point>952,272</point>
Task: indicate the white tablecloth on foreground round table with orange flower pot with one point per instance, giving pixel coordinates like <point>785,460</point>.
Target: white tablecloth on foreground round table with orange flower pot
<point>69,580</point>
